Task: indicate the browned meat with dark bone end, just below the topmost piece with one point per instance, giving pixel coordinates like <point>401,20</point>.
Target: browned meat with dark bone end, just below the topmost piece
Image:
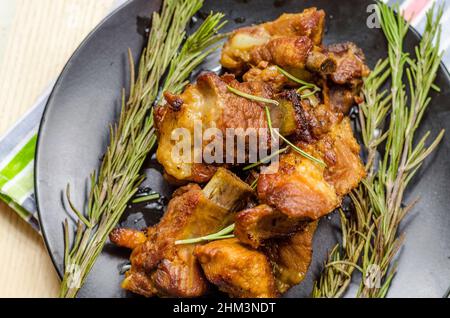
<point>343,65</point>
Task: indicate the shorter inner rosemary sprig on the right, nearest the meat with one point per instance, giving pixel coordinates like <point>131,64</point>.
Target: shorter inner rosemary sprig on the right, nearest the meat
<point>356,229</point>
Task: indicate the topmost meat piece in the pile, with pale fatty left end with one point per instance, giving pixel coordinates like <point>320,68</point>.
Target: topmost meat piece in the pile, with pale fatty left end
<point>237,52</point>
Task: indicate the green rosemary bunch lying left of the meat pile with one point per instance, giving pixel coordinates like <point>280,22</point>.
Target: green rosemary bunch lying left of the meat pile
<point>132,138</point>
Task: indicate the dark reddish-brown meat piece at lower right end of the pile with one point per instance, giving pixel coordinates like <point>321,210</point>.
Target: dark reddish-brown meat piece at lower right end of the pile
<point>291,257</point>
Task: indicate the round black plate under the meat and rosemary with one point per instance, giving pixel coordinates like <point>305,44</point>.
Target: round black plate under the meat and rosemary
<point>74,135</point>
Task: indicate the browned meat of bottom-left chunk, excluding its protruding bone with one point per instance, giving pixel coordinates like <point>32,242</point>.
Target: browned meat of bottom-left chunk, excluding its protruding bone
<point>161,268</point>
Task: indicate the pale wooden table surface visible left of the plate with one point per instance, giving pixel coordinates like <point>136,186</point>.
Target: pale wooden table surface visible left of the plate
<point>36,39</point>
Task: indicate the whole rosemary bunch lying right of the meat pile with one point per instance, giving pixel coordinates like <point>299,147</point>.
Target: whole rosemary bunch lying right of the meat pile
<point>370,235</point>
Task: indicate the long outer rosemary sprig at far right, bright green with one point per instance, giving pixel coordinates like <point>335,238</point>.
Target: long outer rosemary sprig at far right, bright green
<point>402,158</point>
